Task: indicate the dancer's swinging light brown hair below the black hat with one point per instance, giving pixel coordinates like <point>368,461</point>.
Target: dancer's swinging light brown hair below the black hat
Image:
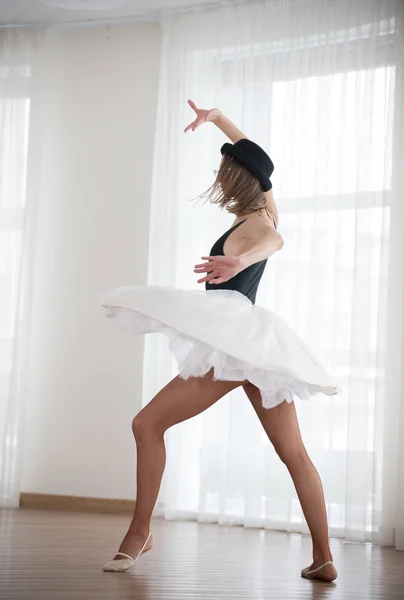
<point>235,188</point>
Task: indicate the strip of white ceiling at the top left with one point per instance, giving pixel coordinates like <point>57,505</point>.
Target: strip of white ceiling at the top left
<point>49,12</point>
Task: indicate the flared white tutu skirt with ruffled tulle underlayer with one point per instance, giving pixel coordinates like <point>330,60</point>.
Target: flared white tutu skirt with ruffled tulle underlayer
<point>222,330</point>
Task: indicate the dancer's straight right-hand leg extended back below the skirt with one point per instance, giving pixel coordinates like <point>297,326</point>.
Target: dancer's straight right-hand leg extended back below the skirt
<point>282,427</point>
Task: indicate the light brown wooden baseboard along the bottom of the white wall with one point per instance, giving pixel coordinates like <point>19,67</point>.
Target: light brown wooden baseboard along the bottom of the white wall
<point>76,503</point>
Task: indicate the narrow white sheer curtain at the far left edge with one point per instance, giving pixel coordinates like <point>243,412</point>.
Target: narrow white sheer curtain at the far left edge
<point>16,245</point>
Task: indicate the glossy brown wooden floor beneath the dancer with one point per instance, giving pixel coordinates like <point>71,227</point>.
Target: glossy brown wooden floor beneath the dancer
<point>51,555</point>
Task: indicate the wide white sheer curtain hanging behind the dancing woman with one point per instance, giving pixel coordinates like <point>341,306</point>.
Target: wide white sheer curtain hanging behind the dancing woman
<point>314,83</point>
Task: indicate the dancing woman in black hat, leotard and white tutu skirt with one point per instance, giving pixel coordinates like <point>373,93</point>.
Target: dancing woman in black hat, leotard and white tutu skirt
<point>223,341</point>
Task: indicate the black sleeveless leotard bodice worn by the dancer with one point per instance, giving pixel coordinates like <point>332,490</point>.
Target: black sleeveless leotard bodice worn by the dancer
<point>246,282</point>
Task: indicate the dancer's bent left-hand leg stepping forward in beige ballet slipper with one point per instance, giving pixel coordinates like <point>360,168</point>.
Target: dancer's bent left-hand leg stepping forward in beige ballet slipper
<point>177,401</point>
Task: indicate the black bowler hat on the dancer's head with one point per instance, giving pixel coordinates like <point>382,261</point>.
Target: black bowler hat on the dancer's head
<point>253,157</point>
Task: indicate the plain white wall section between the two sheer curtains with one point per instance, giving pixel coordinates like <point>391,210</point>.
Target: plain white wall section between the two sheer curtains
<point>85,377</point>
